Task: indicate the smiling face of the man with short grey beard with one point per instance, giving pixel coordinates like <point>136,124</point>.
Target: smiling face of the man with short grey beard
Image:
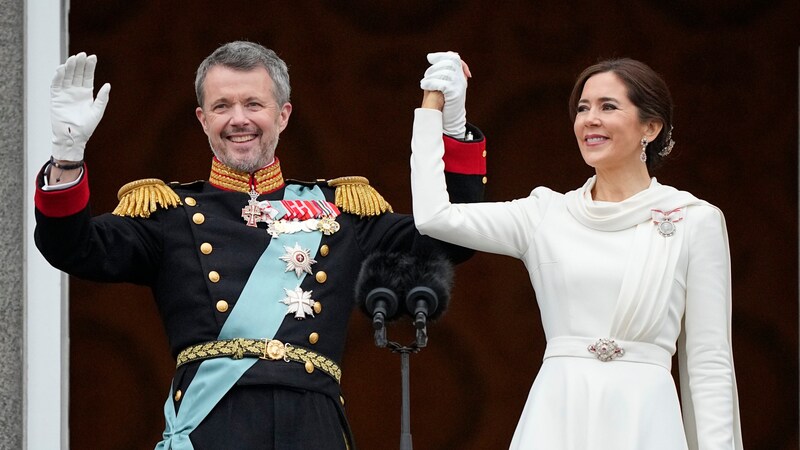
<point>241,117</point>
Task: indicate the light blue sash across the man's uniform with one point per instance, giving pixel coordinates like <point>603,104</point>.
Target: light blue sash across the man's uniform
<point>257,315</point>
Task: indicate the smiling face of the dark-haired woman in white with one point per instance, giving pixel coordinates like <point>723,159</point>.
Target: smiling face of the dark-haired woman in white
<point>607,125</point>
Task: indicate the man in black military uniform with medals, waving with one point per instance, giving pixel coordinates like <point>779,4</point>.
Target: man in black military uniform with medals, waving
<point>253,275</point>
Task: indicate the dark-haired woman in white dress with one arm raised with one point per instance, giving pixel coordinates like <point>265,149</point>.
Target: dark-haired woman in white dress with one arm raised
<point>626,271</point>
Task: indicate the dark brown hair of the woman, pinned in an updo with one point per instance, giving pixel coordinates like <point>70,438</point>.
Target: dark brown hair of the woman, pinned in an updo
<point>646,89</point>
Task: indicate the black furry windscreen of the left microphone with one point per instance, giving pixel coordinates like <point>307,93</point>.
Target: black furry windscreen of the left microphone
<point>381,270</point>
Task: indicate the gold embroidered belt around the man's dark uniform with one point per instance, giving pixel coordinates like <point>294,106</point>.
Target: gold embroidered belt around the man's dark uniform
<point>269,349</point>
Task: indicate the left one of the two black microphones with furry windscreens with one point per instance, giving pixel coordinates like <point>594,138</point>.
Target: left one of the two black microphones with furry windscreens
<point>381,282</point>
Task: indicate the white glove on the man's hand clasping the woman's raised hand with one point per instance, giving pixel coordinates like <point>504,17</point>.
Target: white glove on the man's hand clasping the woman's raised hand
<point>448,75</point>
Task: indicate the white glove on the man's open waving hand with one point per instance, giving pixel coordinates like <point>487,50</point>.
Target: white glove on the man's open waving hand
<point>74,114</point>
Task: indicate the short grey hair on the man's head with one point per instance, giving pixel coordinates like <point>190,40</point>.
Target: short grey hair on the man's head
<point>244,56</point>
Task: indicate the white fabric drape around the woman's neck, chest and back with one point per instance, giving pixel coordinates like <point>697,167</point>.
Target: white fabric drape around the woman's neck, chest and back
<point>650,269</point>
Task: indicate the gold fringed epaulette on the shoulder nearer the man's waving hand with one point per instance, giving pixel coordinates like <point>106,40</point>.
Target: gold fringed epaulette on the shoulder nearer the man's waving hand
<point>141,197</point>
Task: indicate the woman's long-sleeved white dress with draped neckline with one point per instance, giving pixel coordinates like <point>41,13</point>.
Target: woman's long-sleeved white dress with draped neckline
<point>603,270</point>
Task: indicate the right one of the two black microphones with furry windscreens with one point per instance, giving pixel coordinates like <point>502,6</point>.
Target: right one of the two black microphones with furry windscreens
<point>430,283</point>
